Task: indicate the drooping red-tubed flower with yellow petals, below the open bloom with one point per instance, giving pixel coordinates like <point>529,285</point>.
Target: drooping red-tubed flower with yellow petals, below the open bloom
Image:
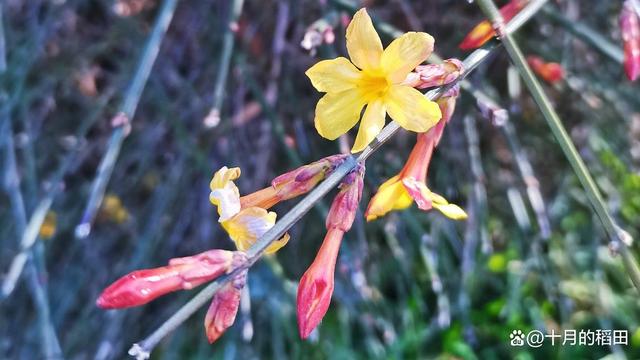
<point>409,185</point>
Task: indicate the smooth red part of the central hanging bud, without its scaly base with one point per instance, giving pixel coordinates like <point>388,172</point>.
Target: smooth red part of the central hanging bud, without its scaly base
<point>316,285</point>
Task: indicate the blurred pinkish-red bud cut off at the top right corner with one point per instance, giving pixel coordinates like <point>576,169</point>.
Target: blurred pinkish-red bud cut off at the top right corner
<point>630,29</point>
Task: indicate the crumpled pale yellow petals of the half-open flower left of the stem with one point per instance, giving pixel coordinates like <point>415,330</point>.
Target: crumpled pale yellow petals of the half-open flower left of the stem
<point>246,224</point>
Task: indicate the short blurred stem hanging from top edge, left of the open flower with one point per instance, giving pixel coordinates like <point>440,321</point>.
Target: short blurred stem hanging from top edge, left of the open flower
<point>231,23</point>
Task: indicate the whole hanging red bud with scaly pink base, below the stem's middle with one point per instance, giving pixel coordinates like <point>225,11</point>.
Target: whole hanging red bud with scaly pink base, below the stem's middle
<point>316,285</point>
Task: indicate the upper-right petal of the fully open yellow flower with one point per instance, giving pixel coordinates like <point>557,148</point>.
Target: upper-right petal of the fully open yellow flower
<point>404,54</point>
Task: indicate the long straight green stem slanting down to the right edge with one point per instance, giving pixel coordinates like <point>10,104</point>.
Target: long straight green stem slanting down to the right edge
<point>619,239</point>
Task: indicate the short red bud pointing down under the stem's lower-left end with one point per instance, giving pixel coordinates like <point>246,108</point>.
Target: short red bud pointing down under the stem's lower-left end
<point>224,307</point>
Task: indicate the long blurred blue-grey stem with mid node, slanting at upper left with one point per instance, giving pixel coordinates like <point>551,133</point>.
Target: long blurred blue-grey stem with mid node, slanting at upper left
<point>125,114</point>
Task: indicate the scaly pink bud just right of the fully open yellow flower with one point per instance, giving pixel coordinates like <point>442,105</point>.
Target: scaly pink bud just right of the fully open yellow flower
<point>431,75</point>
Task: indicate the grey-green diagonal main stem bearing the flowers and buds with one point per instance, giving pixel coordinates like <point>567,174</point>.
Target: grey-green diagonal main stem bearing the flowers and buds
<point>143,349</point>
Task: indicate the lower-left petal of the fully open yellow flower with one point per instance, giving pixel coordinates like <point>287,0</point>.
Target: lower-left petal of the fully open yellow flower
<point>336,113</point>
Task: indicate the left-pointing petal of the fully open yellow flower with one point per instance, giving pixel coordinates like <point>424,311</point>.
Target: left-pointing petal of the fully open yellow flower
<point>333,75</point>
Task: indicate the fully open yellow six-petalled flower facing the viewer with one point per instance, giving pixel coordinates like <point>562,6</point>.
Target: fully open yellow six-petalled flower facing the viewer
<point>374,81</point>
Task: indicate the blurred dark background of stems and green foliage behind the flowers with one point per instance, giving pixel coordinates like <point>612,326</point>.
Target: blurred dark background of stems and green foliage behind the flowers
<point>411,285</point>
